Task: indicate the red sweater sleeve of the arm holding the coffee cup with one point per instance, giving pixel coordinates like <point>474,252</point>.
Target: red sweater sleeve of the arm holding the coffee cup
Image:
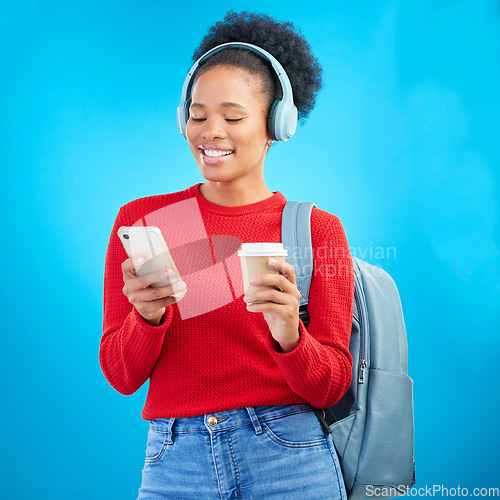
<point>319,369</point>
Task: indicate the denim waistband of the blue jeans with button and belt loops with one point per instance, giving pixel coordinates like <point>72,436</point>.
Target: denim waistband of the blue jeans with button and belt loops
<point>227,419</point>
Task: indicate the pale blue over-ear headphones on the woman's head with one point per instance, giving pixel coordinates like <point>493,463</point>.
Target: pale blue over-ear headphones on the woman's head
<point>283,113</point>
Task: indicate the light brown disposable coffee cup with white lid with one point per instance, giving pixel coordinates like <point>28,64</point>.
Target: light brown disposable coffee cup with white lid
<point>254,260</point>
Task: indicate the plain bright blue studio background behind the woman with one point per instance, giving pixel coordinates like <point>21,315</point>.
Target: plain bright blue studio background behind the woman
<point>400,147</point>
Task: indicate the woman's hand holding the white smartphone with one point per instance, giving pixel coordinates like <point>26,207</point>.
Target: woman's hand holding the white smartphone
<point>150,302</point>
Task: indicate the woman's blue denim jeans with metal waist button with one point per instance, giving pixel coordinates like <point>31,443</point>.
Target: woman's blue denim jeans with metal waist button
<point>260,452</point>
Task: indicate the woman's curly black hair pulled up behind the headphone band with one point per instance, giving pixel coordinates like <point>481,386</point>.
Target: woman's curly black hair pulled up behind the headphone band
<point>281,39</point>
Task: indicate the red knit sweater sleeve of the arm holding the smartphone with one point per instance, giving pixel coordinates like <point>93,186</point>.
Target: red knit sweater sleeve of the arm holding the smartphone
<point>129,346</point>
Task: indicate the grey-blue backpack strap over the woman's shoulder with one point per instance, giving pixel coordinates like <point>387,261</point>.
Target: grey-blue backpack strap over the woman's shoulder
<point>296,238</point>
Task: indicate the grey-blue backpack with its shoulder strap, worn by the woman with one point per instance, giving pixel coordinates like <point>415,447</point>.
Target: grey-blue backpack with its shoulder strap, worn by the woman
<point>372,424</point>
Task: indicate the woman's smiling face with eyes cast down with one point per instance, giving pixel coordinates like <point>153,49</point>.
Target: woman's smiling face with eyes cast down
<point>227,126</point>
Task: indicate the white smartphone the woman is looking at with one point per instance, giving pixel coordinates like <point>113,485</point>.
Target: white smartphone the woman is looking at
<point>148,242</point>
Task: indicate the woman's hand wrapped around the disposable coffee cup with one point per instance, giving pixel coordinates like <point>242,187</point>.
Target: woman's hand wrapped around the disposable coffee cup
<point>282,311</point>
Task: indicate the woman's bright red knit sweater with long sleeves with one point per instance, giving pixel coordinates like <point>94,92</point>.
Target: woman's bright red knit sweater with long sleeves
<point>211,354</point>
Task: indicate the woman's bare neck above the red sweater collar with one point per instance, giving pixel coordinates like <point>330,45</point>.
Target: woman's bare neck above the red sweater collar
<point>234,195</point>
